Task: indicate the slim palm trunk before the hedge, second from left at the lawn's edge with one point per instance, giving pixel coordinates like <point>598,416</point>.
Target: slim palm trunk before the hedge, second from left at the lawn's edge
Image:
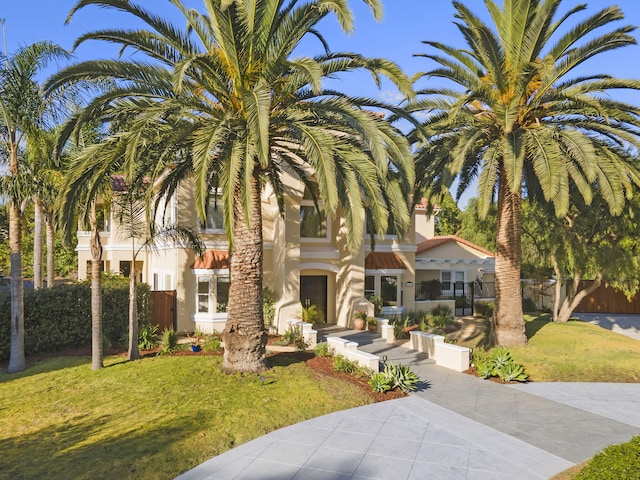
<point>96,292</point>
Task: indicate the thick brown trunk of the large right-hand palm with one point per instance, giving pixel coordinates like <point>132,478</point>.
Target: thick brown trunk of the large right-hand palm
<point>508,320</point>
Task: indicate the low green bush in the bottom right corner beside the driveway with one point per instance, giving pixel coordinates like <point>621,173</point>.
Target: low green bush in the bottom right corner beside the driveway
<point>621,462</point>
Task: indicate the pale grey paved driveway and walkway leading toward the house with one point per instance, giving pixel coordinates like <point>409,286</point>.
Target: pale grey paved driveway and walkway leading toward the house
<point>454,427</point>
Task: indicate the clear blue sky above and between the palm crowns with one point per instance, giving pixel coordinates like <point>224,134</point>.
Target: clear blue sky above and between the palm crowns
<point>398,37</point>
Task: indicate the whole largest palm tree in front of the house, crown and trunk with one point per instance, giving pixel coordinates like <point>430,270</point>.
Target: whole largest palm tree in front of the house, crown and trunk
<point>223,102</point>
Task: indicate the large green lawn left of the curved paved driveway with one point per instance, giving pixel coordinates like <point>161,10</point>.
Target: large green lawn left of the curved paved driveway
<point>149,419</point>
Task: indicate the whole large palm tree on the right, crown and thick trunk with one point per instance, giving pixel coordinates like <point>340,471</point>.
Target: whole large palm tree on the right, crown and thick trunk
<point>525,122</point>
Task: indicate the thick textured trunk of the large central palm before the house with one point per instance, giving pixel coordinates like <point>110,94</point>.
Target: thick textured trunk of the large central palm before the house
<point>244,336</point>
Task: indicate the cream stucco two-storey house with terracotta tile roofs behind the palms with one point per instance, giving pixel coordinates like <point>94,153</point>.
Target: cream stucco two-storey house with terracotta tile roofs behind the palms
<point>306,261</point>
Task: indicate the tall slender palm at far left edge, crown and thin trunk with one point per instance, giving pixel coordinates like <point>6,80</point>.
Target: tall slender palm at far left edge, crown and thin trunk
<point>21,112</point>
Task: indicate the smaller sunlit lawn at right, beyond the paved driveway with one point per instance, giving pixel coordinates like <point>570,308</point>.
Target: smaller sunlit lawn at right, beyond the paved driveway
<point>577,352</point>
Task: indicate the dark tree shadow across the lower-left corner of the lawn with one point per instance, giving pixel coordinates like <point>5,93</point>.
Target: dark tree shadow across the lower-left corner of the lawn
<point>68,451</point>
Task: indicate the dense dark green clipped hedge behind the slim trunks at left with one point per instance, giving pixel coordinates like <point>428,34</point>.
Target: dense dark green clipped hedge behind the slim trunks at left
<point>60,317</point>
